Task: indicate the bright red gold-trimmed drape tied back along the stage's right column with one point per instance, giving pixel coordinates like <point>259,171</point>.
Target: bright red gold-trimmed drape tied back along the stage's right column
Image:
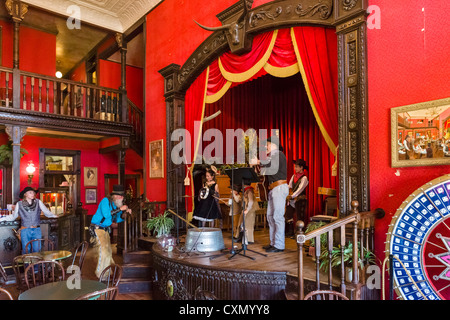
<point>318,50</point>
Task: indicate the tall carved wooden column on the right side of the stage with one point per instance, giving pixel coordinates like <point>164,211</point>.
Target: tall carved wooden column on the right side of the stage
<point>353,107</point>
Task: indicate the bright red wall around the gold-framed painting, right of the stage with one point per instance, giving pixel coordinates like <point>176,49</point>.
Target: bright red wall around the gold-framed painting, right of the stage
<point>405,65</point>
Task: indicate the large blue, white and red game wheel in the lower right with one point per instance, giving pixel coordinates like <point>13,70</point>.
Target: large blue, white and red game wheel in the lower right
<point>419,240</point>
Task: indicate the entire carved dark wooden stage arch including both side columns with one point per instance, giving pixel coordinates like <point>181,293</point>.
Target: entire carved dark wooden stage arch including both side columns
<point>348,17</point>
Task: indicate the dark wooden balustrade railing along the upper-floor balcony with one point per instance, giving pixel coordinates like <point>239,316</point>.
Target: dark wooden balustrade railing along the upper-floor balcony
<point>39,93</point>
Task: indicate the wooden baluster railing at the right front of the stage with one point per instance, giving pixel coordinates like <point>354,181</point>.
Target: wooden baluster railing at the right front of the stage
<point>362,232</point>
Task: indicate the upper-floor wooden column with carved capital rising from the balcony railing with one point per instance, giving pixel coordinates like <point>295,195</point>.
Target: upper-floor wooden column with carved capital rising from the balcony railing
<point>17,10</point>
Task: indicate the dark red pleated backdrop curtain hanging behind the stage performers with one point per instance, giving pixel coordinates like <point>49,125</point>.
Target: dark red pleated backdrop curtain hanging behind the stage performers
<point>279,103</point>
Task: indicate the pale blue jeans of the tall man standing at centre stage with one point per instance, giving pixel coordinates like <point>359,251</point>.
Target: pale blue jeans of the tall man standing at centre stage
<point>275,215</point>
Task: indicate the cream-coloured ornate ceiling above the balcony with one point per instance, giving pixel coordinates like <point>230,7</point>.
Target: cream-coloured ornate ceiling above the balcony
<point>115,15</point>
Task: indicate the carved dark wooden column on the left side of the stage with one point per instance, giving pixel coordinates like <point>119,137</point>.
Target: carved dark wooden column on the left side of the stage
<point>175,120</point>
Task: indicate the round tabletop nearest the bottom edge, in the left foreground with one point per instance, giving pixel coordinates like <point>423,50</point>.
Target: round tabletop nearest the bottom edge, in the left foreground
<point>60,291</point>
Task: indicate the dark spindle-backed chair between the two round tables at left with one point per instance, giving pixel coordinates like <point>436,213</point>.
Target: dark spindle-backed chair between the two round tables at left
<point>43,272</point>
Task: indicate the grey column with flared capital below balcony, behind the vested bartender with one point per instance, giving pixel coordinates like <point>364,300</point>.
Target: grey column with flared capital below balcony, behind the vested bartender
<point>16,135</point>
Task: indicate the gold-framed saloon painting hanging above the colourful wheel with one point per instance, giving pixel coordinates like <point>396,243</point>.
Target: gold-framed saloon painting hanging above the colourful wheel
<point>420,134</point>
